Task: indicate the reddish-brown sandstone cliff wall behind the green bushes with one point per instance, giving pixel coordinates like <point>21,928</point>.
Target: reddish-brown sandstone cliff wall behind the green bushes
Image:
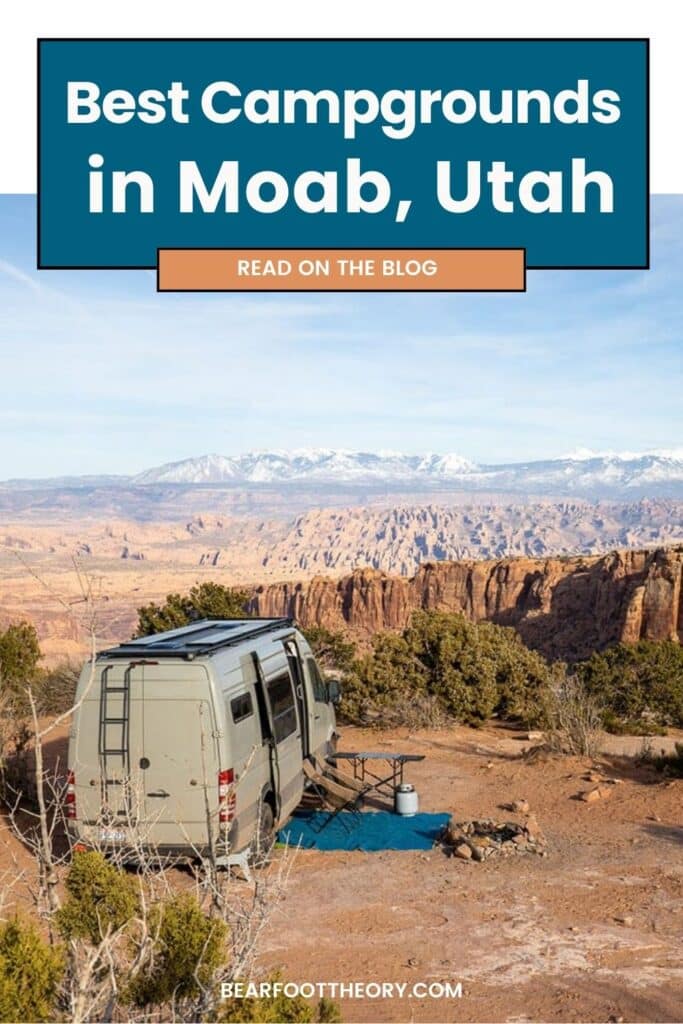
<point>565,608</point>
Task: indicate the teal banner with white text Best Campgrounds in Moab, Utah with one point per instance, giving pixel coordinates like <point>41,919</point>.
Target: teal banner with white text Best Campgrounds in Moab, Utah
<point>407,144</point>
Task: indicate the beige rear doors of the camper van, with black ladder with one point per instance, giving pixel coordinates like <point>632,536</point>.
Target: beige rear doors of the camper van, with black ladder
<point>147,755</point>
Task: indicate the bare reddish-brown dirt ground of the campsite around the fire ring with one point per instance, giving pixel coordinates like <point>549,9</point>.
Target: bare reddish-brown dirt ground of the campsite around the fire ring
<point>530,938</point>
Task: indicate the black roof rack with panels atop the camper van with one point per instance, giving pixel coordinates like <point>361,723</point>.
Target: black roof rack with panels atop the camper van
<point>202,637</point>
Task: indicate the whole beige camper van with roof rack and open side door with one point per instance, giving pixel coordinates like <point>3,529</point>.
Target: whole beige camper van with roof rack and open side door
<point>195,739</point>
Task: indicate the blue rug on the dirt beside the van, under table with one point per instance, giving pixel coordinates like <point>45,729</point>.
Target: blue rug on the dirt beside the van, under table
<point>371,831</point>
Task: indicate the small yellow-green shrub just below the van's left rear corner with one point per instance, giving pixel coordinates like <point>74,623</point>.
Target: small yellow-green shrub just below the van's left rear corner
<point>101,898</point>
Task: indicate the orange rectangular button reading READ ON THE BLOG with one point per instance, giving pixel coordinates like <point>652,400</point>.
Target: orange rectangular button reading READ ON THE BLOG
<point>341,271</point>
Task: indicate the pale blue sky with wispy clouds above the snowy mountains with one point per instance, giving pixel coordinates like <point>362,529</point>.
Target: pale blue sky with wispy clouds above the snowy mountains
<point>101,374</point>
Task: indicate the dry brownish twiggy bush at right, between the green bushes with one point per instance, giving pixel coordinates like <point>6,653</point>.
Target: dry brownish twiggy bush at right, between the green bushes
<point>573,717</point>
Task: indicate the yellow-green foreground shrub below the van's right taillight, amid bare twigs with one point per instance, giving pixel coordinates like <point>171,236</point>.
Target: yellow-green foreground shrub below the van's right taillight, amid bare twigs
<point>189,950</point>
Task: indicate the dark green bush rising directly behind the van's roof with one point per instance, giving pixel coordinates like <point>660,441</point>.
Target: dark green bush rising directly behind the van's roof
<point>207,601</point>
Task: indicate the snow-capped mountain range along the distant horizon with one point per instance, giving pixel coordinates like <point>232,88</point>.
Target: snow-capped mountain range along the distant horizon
<point>595,475</point>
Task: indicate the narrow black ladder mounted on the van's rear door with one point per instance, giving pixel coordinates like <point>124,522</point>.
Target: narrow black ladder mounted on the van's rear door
<point>114,744</point>
